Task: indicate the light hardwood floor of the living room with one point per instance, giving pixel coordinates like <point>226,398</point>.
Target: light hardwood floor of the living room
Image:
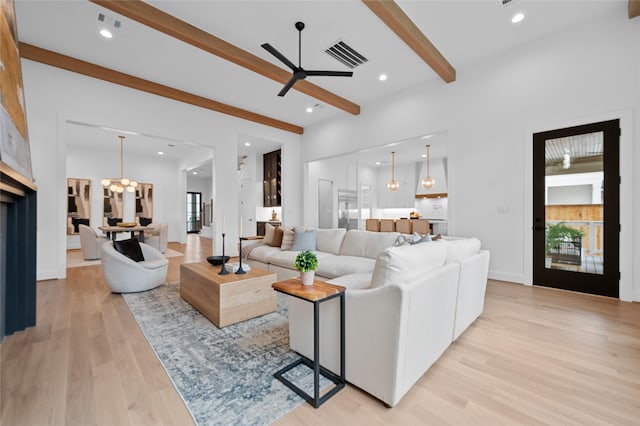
<point>535,356</point>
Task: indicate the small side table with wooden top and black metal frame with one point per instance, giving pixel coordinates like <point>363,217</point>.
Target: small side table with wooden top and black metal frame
<point>316,294</point>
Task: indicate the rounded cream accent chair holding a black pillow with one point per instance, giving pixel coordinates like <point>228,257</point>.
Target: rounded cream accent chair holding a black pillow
<point>124,275</point>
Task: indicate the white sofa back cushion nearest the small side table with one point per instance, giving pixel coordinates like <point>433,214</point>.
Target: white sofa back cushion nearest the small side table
<point>404,264</point>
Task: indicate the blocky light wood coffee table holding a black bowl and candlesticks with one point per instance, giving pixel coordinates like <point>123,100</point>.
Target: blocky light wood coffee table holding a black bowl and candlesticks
<point>227,299</point>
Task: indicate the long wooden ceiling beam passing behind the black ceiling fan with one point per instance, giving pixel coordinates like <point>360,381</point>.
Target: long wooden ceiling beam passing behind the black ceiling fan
<point>174,27</point>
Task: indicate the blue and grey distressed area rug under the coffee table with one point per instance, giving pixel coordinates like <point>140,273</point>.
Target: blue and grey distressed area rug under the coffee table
<point>225,376</point>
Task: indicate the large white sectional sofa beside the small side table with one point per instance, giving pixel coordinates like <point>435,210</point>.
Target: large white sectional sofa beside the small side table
<point>404,305</point>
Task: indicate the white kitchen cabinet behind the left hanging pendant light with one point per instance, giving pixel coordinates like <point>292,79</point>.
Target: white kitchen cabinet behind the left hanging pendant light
<point>404,197</point>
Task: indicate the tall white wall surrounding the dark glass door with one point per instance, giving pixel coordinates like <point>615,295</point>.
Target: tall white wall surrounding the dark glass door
<point>587,73</point>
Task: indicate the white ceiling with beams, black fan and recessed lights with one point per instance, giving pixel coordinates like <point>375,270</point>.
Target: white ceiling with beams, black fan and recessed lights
<point>464,32</point>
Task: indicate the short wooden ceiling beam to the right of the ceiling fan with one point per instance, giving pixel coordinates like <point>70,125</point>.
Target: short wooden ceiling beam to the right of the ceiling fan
<point>394,17</point>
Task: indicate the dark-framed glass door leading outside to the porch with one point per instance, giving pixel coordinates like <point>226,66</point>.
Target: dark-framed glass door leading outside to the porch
<point>576,209</point>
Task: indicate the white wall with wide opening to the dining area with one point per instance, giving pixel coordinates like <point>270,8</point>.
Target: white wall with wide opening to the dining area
<point>54,96</point>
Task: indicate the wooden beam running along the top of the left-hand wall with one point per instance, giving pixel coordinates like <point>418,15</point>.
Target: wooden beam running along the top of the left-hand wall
<point>68,63</point>
